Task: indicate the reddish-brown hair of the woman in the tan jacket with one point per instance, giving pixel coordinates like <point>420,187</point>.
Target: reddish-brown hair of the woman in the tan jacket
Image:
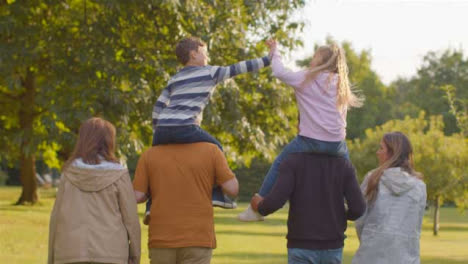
<point>96,141</point>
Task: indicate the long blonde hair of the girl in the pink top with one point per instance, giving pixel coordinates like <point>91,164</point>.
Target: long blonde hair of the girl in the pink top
<point>333,59</point>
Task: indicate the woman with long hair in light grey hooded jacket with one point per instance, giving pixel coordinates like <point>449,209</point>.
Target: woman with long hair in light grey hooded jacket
<point>390,229</point>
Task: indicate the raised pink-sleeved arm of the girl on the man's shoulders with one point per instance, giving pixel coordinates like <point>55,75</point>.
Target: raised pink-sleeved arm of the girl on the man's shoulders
<point>295,79</point>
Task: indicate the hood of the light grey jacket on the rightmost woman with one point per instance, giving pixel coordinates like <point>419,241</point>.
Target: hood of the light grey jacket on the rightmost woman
<point>398,181</point>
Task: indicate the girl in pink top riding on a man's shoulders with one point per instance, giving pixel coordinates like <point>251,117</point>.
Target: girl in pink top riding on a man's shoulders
<point>323,95</point>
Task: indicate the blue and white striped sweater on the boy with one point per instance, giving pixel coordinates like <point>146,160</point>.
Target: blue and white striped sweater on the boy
<point>188,92</point>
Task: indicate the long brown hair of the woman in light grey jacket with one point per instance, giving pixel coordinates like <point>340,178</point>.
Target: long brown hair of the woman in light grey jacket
<point>401,155</point>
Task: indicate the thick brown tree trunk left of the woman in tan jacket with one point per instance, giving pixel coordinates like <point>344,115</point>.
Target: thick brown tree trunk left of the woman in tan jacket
<point>27,159</point>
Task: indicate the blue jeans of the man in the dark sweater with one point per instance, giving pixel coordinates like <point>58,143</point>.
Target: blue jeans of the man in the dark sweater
<point>309,256</point>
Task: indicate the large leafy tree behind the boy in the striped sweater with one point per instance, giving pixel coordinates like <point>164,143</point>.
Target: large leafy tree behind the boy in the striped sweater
<point>64,61</point>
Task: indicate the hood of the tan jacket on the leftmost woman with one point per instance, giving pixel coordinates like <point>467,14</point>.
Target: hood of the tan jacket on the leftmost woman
<point>93,179</point>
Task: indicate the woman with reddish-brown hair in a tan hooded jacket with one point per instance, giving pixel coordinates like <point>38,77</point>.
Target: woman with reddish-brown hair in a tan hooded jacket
<point>94,219</point>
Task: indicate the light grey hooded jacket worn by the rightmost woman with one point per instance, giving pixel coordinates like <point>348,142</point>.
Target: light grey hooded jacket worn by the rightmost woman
<point>390,229</point>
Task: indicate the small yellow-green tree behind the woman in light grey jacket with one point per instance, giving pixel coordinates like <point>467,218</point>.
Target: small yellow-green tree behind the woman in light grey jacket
<point>441,159</point>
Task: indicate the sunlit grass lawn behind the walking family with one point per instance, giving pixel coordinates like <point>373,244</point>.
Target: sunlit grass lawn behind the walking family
<point>24,235</point>
